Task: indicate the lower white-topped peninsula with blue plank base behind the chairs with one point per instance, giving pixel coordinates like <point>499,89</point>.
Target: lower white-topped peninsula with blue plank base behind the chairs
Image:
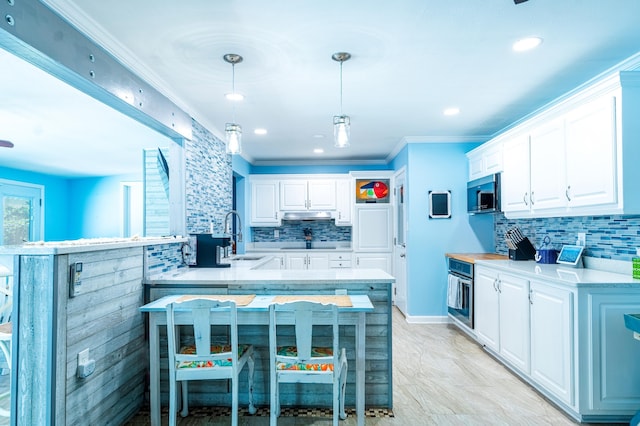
<point>245,276</point>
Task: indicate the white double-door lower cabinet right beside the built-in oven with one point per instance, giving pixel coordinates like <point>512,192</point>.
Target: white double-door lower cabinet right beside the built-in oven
<point>502,315</point>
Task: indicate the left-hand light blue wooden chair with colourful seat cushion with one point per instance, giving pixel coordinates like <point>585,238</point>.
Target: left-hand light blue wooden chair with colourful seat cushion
<point>206,359</point>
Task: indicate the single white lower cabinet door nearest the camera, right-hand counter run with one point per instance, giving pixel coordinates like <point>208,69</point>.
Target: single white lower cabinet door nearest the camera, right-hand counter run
<point>552,339</point>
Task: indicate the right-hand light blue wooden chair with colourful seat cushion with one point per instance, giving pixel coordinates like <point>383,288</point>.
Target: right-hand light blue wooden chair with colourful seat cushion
<point>304,362</point>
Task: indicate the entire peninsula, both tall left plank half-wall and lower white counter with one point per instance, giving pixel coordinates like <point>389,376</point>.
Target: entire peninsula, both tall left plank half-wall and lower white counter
<point>78,304</point>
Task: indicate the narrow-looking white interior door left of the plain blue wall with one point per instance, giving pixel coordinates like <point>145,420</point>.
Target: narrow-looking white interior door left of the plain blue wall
<point>399,243</point>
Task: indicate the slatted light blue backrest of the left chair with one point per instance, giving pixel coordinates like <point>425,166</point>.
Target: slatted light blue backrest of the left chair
<point>197,314</point>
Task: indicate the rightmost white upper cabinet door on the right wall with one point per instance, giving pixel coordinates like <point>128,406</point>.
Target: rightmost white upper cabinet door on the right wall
<point>591,154</point>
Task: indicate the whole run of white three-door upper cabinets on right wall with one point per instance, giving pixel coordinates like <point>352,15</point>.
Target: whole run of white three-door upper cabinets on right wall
<point>573,157</point>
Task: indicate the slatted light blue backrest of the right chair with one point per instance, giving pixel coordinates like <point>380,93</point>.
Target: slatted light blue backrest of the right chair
<point>304,316</point>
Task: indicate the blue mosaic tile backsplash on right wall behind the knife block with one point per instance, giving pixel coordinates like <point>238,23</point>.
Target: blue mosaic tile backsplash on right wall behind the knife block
<point>608,237</point>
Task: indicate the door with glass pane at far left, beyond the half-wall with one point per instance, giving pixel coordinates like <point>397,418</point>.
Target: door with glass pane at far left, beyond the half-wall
<point>21,212</point>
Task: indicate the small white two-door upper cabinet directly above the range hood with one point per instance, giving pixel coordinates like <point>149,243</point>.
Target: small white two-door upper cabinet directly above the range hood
<point>312,194</point>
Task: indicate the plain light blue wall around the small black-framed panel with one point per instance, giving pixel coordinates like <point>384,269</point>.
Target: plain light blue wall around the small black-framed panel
<point>438,167</point>
